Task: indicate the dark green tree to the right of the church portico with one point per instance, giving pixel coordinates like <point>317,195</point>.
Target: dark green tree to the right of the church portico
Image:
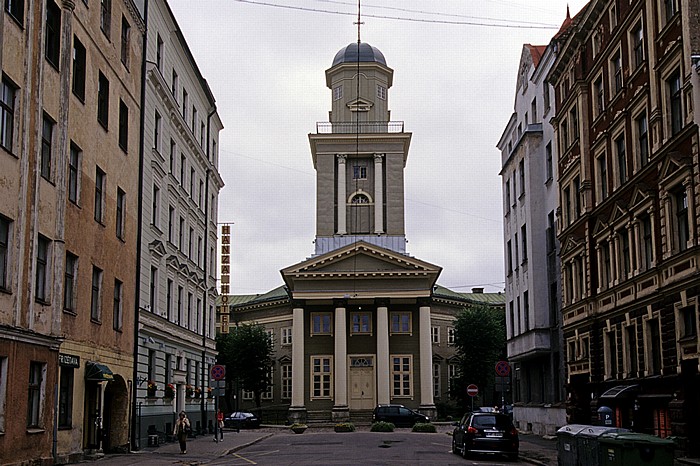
<point>480,340</point>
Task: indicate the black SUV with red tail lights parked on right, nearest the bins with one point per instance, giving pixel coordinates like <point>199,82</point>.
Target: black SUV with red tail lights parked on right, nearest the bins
<point>485,433</point>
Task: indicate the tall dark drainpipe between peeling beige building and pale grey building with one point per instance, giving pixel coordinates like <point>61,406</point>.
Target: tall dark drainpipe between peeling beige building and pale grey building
<point>135,441</point>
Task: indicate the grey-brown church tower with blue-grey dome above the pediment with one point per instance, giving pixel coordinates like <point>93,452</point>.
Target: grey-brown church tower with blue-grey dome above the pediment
<point>359,156</point>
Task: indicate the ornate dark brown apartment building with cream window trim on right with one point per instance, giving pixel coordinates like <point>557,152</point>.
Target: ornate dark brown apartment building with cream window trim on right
<point>628,157</point>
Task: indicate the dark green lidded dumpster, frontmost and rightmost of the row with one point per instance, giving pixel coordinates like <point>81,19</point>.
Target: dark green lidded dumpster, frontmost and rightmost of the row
<point>623,448</point>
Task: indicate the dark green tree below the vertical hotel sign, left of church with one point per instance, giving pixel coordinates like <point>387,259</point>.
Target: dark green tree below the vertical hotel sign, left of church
<point>246,352</point>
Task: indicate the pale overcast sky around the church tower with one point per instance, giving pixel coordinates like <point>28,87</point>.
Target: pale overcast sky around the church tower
<point>455,64</point>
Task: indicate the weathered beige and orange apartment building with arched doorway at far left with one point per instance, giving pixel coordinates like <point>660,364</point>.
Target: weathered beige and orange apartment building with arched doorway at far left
<point>71,92</point>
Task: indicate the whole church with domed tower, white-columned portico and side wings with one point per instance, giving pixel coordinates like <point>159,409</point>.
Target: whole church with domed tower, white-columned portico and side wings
<point>361,322</point>
